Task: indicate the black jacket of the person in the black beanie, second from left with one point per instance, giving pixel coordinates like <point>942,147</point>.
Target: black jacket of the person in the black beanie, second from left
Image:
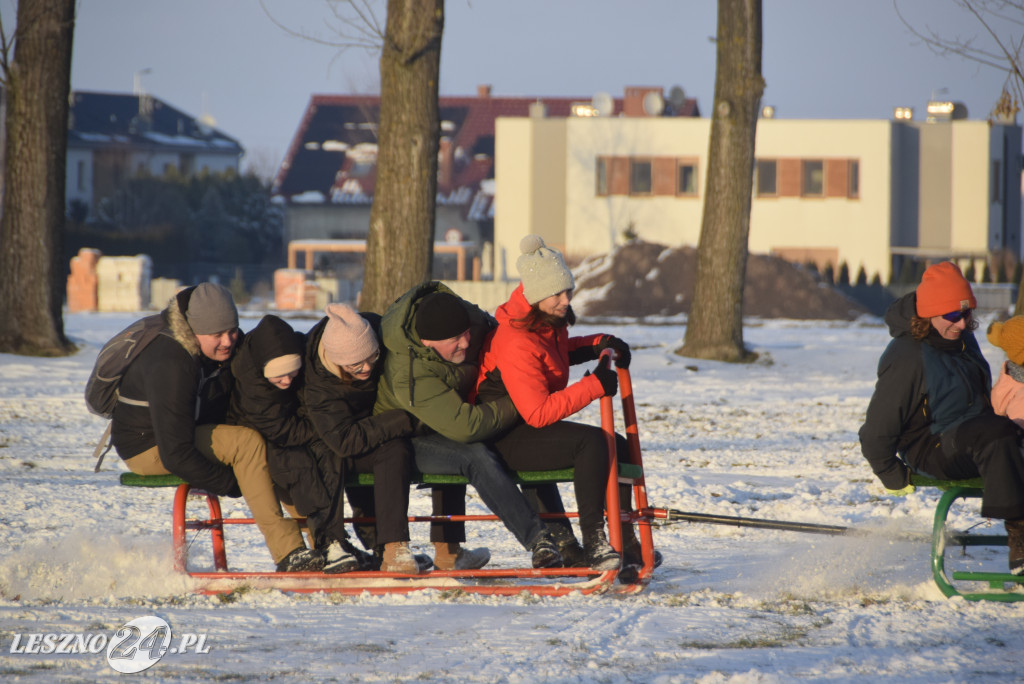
<point>273,412</point>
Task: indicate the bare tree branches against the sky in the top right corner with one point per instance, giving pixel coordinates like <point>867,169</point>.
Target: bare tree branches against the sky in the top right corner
<point>1000,45</point>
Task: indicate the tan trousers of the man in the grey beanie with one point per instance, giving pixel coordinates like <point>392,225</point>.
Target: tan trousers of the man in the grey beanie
<point>245,452</point>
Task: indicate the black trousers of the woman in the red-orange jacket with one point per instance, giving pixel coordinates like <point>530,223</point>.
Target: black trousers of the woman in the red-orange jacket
<point>566,445</point>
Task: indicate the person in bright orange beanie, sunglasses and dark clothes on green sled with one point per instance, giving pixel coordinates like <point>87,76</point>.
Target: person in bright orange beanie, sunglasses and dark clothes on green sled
<point>932,409</point>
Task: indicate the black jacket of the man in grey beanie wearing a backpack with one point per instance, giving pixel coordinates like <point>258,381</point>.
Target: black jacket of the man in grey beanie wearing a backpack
<point>184,389</point>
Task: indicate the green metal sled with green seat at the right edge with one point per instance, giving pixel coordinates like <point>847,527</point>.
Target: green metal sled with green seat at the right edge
<point>944,538</point>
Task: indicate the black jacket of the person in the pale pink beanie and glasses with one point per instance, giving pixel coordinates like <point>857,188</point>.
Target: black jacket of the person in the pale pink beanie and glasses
<point>343,413</point>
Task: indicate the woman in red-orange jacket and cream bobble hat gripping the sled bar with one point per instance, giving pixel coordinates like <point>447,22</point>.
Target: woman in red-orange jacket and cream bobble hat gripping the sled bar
<point>529,358</point>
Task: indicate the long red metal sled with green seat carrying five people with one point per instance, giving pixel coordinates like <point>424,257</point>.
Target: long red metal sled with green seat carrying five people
<point>507,582</point>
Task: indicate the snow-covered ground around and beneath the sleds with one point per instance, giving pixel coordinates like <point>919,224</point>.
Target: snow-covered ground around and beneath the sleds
<point>776,440</point>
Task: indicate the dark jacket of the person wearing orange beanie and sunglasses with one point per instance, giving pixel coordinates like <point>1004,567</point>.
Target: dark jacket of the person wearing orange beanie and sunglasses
<point>902,416</point>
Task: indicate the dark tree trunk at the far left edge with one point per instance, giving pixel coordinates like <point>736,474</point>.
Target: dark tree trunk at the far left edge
<point>32,276</point>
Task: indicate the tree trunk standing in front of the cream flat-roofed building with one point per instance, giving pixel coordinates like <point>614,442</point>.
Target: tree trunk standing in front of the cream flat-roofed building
<point>715,329</point>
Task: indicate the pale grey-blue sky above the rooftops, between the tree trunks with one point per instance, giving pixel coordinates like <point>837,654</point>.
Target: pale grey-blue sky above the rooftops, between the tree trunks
<point>227,59</point>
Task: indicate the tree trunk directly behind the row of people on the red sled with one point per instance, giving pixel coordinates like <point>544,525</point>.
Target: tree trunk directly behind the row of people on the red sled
<point>400,249</point>
